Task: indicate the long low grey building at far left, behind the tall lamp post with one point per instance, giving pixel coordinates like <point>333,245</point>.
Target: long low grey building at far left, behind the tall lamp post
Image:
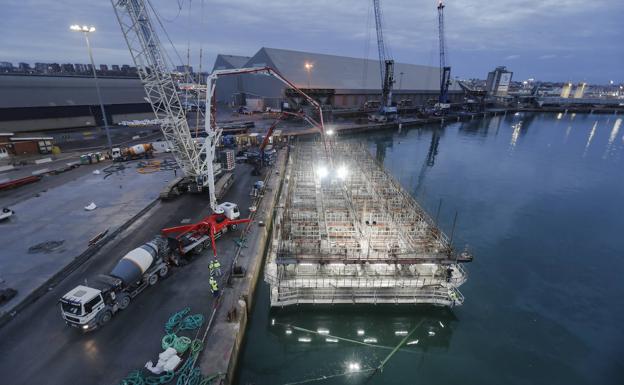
<point>31,103</point>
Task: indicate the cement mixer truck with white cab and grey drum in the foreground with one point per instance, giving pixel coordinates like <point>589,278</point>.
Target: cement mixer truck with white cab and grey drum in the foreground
<point>93,304</point>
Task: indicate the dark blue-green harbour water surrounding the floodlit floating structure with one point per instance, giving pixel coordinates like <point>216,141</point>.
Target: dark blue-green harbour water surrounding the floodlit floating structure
<point>539,200</point>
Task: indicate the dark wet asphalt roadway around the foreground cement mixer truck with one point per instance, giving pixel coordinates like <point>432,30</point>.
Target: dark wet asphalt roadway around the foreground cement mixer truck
<point>134,335</point>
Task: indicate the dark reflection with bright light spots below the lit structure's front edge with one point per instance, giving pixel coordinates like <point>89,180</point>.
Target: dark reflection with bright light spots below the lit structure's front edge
<point>308,327</point>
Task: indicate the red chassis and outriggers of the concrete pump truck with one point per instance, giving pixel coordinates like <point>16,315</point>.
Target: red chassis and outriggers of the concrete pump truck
<point>195,237</point>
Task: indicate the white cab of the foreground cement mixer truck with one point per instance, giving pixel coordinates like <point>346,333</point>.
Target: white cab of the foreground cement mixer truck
<point>80,307</point>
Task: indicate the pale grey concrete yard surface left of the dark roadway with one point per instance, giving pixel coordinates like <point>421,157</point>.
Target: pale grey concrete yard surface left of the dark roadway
<point>56,213</point>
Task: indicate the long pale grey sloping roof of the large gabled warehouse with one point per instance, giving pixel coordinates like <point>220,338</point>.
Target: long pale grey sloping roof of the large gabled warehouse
<point>342,72</point>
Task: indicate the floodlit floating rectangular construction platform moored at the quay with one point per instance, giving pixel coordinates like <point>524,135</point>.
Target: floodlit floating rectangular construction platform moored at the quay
<point>346,232</point>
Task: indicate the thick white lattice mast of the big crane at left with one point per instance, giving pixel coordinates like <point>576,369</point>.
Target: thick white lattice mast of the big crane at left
<point>149,58</point>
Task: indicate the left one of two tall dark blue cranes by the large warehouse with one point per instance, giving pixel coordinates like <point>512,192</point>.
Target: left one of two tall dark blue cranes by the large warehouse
<point>386,71</point>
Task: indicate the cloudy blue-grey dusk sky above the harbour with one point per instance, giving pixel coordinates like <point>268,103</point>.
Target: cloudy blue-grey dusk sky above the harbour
<point>559,40</point>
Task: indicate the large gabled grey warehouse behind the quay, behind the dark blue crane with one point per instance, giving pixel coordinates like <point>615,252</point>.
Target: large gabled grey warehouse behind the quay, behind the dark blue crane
<point>339,81</point>
